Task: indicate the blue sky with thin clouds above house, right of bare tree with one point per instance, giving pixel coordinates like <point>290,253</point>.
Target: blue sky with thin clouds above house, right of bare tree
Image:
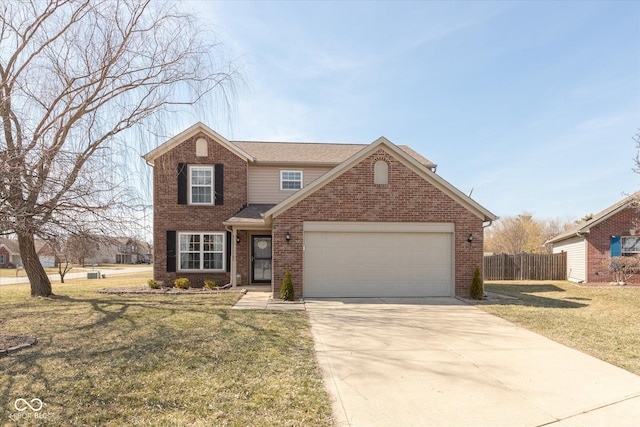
<point>533,105</point>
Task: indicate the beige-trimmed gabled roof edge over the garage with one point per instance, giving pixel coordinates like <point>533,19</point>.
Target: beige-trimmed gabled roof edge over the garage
<point>409,161</point>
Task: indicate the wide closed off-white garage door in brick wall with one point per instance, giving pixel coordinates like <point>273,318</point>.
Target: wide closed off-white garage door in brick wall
<point>343,259</point>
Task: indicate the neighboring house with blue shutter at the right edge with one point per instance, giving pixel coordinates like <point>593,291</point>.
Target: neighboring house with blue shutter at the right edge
<point>589,245</point>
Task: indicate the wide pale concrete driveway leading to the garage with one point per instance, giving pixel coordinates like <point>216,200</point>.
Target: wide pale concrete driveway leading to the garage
<point>440,362</point>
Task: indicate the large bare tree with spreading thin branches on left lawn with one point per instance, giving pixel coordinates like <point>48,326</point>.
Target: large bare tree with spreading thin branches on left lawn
<point>75,76</point>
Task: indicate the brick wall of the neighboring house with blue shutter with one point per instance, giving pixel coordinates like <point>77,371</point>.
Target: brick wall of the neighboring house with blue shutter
<point>599,240</point>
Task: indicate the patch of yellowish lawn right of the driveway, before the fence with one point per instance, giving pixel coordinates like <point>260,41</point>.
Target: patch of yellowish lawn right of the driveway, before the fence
<point>602,322</point>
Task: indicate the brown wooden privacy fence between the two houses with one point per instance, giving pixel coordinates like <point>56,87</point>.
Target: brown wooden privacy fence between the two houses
<point>526,267</point>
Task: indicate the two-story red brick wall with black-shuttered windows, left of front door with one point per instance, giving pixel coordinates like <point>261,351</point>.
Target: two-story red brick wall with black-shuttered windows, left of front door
<point>169,215</point>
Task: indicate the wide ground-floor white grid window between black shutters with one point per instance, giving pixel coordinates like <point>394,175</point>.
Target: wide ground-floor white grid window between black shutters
<point>201,251</point>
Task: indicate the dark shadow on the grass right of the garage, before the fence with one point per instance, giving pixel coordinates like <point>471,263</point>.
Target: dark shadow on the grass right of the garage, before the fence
<point>526,294</point>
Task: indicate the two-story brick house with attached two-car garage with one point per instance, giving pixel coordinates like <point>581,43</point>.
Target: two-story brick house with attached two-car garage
<point>347,220</point>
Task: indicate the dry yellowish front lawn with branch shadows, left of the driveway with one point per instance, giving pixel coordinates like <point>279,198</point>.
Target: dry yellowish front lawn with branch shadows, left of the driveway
<point>117,360</point>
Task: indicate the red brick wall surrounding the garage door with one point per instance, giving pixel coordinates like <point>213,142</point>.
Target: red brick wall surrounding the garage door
<point>354,197</point>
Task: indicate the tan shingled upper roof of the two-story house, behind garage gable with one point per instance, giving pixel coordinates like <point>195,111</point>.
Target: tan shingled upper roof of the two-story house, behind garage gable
<point>311,153</point>
